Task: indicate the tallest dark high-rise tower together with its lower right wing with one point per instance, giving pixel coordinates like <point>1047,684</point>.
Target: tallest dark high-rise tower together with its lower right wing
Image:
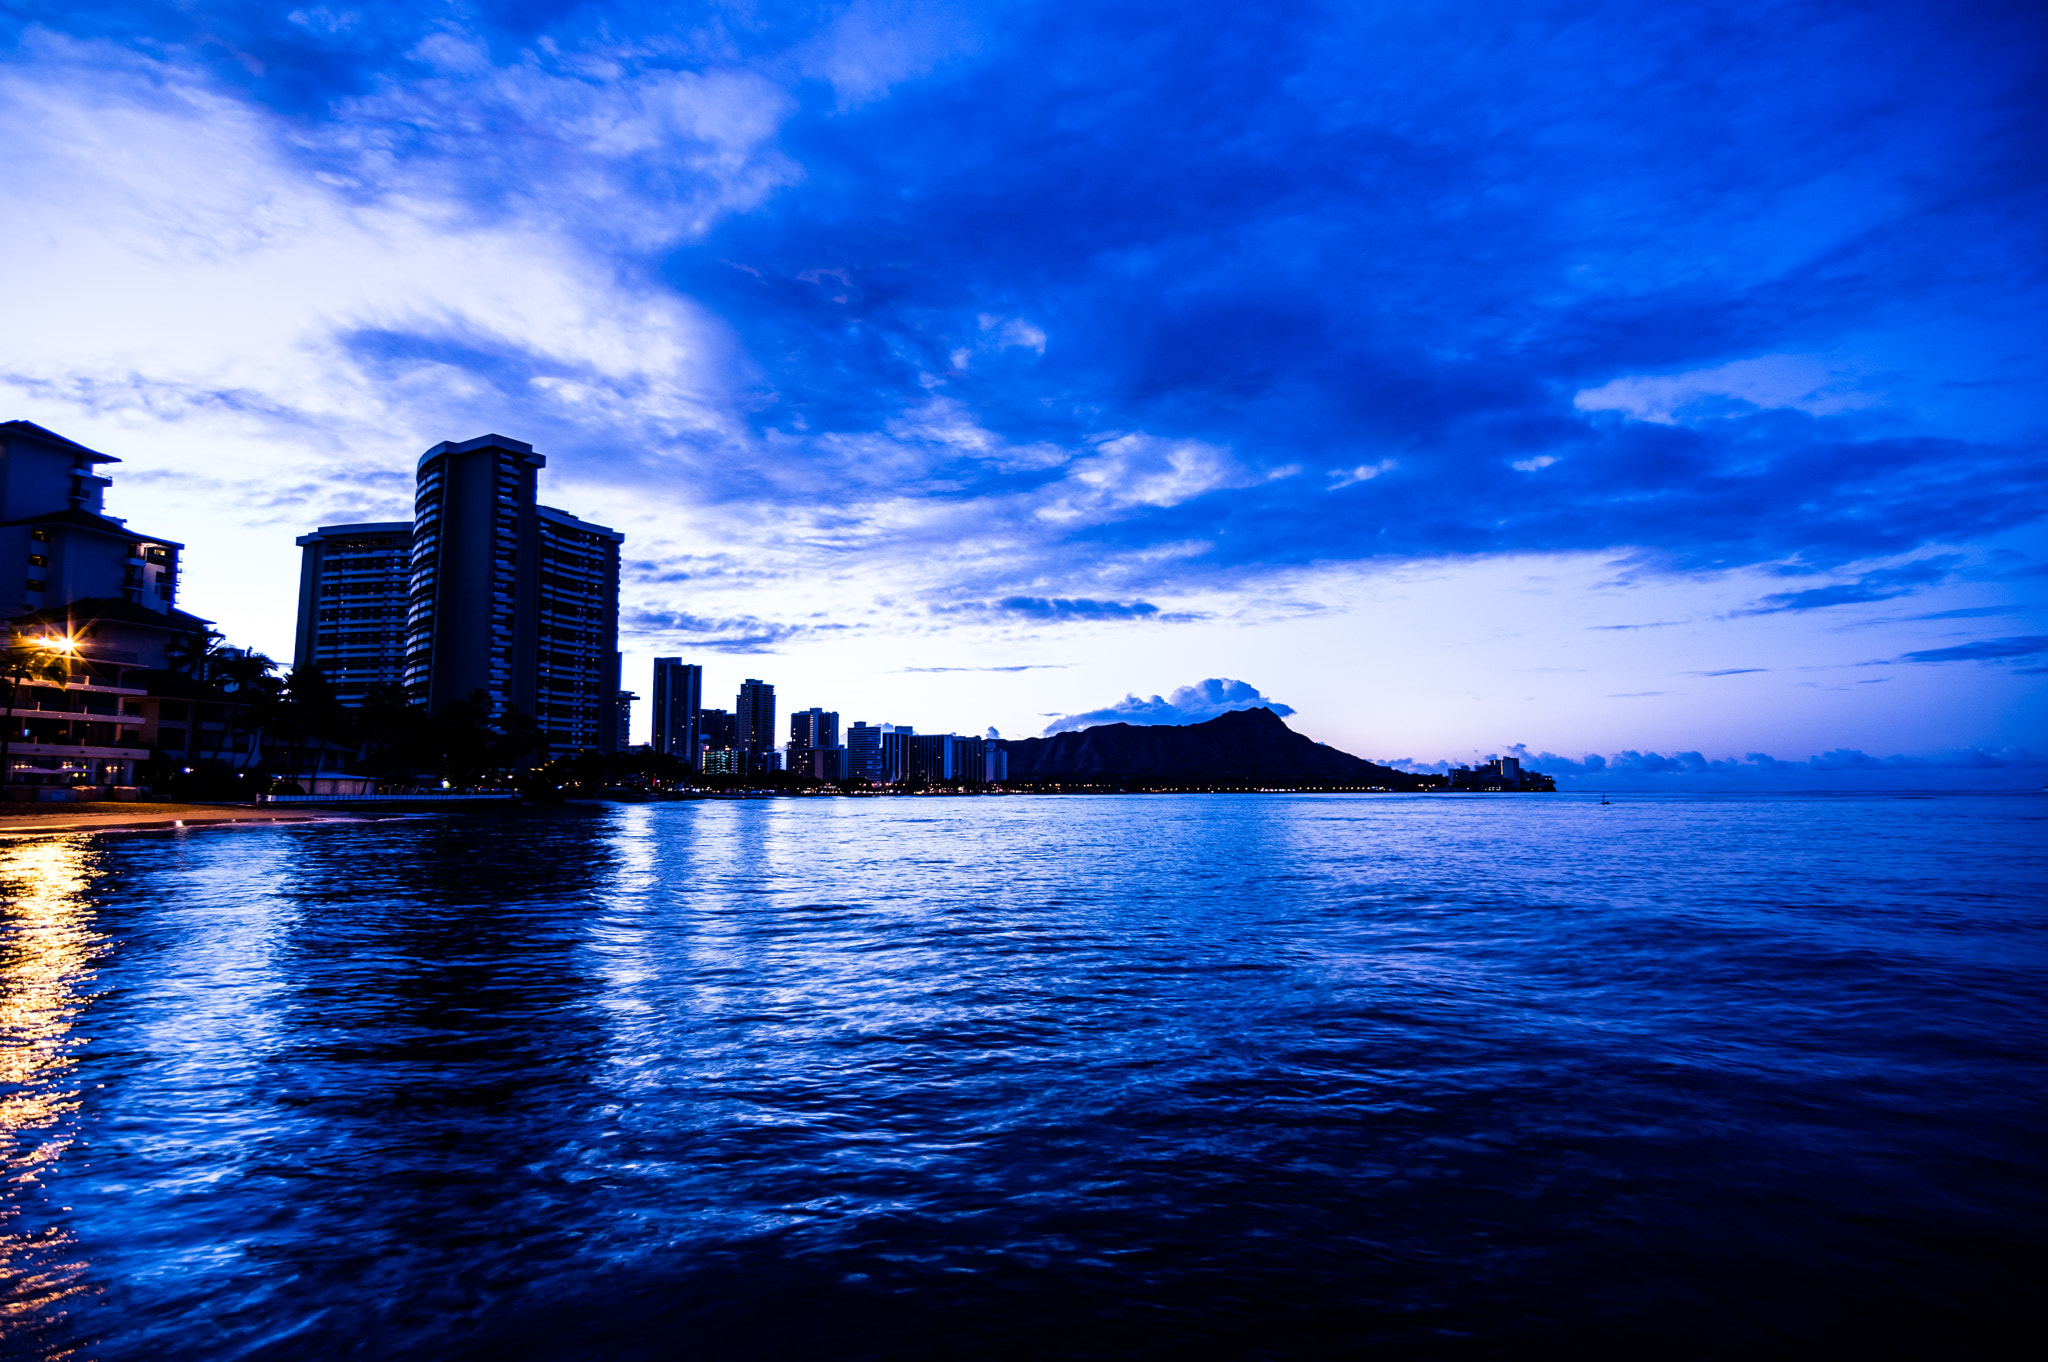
<point>511,599</point>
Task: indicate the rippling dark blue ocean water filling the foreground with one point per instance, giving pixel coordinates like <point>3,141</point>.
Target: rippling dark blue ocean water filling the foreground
<point>1037,1078</point>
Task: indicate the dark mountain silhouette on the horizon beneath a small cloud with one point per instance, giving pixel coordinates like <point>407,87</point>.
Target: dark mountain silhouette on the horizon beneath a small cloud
<point>1246,747</point>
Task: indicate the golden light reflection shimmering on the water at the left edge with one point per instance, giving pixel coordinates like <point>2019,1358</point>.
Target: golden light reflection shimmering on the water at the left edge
<point>48,947</point>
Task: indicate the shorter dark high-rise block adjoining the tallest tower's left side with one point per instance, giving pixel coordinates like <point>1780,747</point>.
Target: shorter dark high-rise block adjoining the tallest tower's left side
<point>353,589</point>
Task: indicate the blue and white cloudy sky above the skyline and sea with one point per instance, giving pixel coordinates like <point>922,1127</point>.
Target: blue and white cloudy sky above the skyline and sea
<point>1635,384</point>
